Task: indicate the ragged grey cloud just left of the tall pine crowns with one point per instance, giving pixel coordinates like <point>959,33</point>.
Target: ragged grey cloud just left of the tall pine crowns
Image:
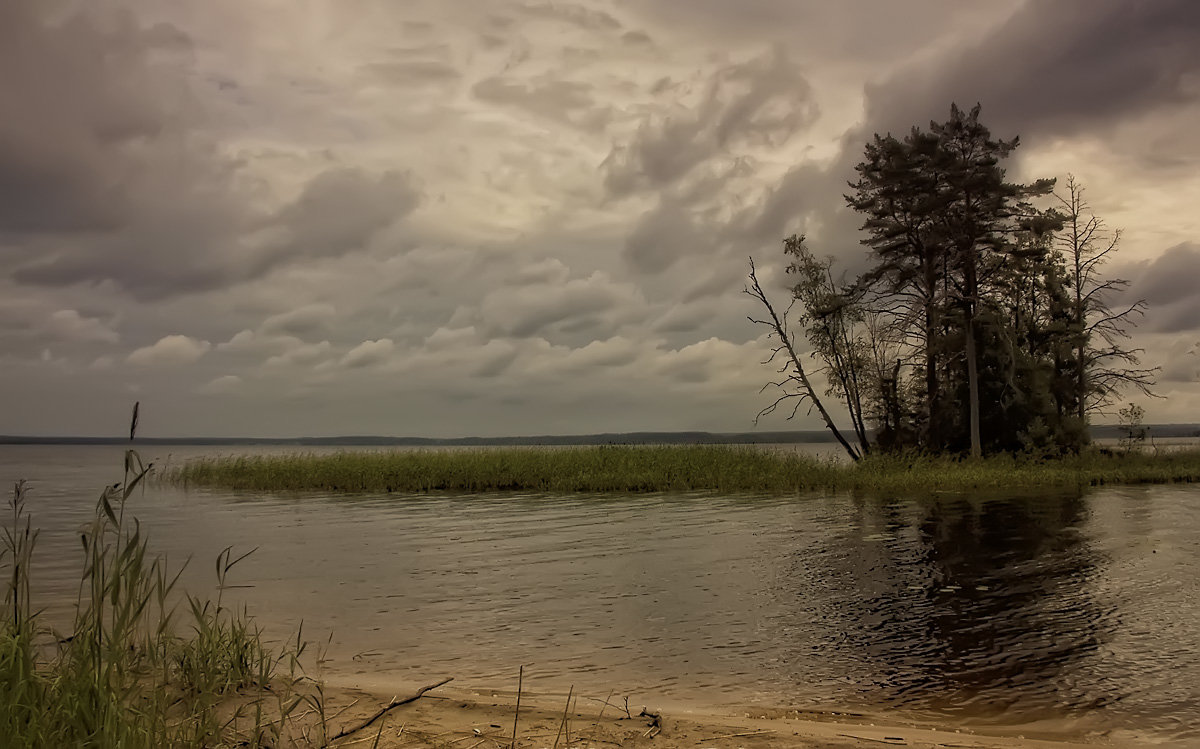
<point>698,161</point>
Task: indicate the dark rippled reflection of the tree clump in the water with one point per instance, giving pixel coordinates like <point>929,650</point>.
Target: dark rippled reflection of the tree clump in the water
<point>968,606</point>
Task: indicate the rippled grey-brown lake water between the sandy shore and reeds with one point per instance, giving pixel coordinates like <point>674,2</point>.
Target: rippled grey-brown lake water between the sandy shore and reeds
<point>1065,612</point>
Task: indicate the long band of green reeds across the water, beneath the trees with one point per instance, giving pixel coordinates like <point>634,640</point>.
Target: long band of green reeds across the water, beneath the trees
<point>634,470</point>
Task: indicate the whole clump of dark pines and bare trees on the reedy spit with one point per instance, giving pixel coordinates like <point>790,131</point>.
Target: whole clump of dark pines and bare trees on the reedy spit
<point>983,322</point>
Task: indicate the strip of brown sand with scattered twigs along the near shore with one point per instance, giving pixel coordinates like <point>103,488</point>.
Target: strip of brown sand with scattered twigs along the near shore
<point>484,720</point>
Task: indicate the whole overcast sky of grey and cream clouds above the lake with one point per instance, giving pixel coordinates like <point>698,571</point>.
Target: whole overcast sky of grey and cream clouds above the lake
<point>467,218</point>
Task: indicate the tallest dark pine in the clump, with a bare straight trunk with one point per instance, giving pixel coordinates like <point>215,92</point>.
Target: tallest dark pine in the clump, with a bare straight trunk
<point>940,218</point>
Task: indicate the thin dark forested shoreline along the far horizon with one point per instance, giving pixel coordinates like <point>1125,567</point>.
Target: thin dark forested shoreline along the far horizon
<point>1157,432</point>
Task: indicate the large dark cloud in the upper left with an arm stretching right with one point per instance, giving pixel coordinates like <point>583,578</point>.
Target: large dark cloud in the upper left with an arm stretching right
<point>105,173</point>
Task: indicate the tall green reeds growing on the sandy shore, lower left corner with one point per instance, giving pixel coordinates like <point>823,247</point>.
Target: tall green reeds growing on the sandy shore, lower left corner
<point>129,674</point>
